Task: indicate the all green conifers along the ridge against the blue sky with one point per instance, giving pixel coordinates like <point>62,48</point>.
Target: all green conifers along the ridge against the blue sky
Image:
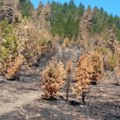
<point>65,18</point>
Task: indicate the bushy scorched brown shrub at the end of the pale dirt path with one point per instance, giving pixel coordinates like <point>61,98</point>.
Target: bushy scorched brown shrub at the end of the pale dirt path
<point>53,79</point>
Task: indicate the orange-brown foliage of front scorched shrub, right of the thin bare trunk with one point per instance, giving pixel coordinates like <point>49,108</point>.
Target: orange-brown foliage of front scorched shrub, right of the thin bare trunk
<point>83,75</point>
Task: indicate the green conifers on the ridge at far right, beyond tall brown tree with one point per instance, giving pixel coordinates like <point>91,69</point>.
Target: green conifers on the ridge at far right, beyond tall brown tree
<point>102,20</point>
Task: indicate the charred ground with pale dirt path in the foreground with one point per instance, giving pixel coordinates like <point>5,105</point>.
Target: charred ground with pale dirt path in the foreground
<point>21,100</point>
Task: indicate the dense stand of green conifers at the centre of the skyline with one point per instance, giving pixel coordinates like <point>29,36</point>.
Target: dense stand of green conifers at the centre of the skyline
<point>65,19</point>
